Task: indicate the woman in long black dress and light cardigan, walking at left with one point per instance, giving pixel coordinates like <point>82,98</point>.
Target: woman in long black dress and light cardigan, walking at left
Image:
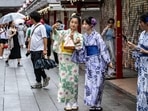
<point>15,52</point>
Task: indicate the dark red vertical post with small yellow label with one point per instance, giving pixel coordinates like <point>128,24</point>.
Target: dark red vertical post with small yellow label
<point>119,72</point>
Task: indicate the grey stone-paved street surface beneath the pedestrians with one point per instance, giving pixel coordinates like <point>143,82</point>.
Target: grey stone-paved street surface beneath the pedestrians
<point>16,94</point>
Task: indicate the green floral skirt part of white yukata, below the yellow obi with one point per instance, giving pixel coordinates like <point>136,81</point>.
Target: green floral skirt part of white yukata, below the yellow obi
<point>68,85</point>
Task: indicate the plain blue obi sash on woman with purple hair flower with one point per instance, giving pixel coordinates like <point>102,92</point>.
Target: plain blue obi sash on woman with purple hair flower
<point>92,50</point>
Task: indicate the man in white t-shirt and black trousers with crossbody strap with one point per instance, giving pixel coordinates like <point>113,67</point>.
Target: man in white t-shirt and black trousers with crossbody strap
<point>38,48</point>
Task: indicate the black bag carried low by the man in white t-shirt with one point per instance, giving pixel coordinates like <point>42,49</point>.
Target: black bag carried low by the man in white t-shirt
<point>44,63</point>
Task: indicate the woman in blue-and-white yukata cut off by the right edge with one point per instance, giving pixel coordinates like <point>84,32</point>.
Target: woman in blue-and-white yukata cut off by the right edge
<point>141,56</point>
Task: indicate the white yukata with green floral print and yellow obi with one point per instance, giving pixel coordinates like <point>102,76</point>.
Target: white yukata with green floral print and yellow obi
<point>68,70</point>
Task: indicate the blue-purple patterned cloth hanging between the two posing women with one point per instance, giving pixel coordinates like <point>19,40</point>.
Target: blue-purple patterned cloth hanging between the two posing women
<point>78,56</point>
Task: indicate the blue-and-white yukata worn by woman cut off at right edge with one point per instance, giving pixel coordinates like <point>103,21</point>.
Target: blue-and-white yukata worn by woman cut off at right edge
<point>142,66</point>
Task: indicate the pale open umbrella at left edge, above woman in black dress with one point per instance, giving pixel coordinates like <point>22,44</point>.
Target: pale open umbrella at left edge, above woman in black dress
<point>11,17</point>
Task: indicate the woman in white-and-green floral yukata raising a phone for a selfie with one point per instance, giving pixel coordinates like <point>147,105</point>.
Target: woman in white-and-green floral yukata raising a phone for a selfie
<point>68,70</point>
